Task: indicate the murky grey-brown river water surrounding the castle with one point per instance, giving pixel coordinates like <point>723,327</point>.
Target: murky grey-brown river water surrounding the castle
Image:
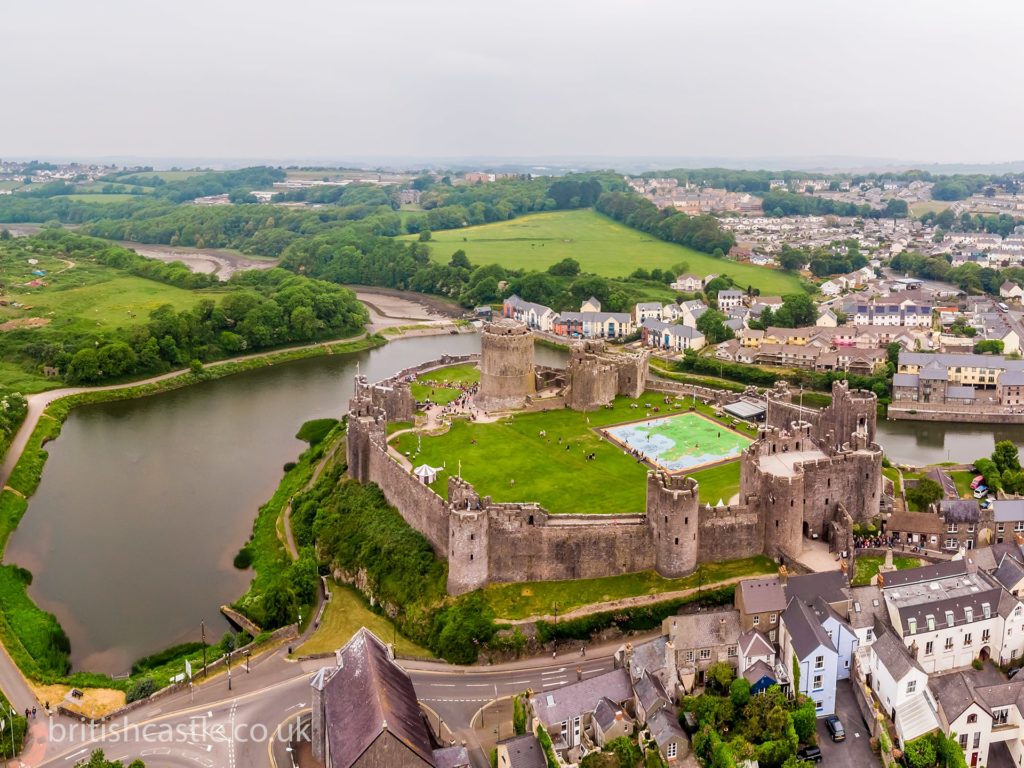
<point>145,503</point>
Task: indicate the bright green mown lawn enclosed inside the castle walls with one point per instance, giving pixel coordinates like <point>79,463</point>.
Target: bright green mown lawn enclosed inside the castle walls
<point>561,481</point>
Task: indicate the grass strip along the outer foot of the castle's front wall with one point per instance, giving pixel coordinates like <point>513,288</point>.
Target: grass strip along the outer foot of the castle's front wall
<point>548,599</point>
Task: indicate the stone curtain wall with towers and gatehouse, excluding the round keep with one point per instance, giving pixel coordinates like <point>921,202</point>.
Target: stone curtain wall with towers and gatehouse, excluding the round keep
<point>487,542</point>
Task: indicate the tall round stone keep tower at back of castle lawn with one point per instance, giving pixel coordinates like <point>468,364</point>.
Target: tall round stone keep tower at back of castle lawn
<point>506,366</point>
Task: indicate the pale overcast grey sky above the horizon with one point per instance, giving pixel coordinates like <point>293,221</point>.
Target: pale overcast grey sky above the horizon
<point>923,80</point>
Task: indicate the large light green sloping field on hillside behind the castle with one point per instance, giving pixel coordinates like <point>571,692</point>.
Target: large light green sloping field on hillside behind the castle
<point>601,245</point>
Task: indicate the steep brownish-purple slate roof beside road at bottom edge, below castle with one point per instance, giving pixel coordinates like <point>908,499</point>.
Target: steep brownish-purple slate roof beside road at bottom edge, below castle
<point>367,695</point>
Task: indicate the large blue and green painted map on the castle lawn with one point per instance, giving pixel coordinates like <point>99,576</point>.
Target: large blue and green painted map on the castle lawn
<point>680,442</point>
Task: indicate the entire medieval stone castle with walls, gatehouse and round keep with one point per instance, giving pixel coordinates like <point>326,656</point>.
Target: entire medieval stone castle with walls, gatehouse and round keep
<point>810,474</point>
